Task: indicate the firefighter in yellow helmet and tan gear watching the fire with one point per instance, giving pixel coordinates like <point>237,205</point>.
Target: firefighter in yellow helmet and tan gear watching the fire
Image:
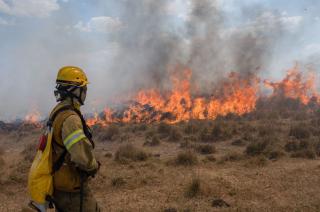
<point>72,145</point>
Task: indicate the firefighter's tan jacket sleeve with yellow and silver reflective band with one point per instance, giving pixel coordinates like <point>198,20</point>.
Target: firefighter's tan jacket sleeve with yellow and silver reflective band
<point>77,144</point>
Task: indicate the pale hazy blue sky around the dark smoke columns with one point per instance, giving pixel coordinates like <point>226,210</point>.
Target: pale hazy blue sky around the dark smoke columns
<point>39,36</point>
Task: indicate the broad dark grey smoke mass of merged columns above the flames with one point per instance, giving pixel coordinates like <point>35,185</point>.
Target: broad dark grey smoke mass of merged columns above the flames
<point>150,50</point>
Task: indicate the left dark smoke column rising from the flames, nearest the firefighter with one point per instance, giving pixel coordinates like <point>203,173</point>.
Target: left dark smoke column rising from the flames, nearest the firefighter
<point>147,47</point>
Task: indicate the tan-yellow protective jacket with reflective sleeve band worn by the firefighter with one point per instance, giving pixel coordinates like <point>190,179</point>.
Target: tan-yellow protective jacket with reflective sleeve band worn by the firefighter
<point>68,134</point>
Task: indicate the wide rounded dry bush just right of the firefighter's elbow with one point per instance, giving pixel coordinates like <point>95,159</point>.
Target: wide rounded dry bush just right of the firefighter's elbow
<point>129,152</point>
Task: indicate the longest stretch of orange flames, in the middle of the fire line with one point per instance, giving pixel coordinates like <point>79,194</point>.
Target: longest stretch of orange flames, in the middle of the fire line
<point>238,96</point>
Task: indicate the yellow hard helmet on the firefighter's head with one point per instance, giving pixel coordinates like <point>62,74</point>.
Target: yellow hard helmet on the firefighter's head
<point>71,75</point>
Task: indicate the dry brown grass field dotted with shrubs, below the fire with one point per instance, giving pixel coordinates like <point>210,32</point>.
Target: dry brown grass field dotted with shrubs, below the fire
<point>264,161</point>
